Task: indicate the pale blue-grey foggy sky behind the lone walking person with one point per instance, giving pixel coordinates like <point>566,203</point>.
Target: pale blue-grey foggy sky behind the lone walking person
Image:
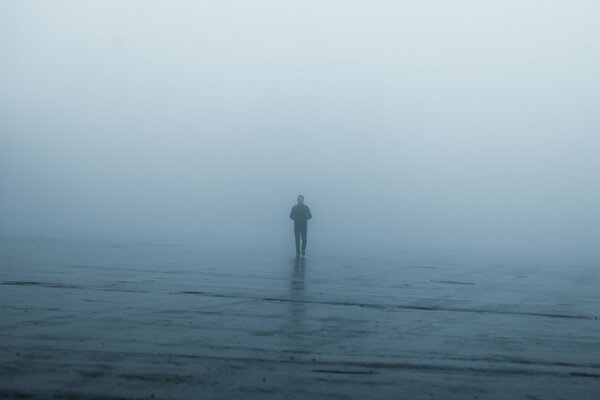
<point>464,125</point>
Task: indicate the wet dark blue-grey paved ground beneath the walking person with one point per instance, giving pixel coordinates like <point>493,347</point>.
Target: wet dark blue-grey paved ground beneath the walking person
<point>99,321</point>
